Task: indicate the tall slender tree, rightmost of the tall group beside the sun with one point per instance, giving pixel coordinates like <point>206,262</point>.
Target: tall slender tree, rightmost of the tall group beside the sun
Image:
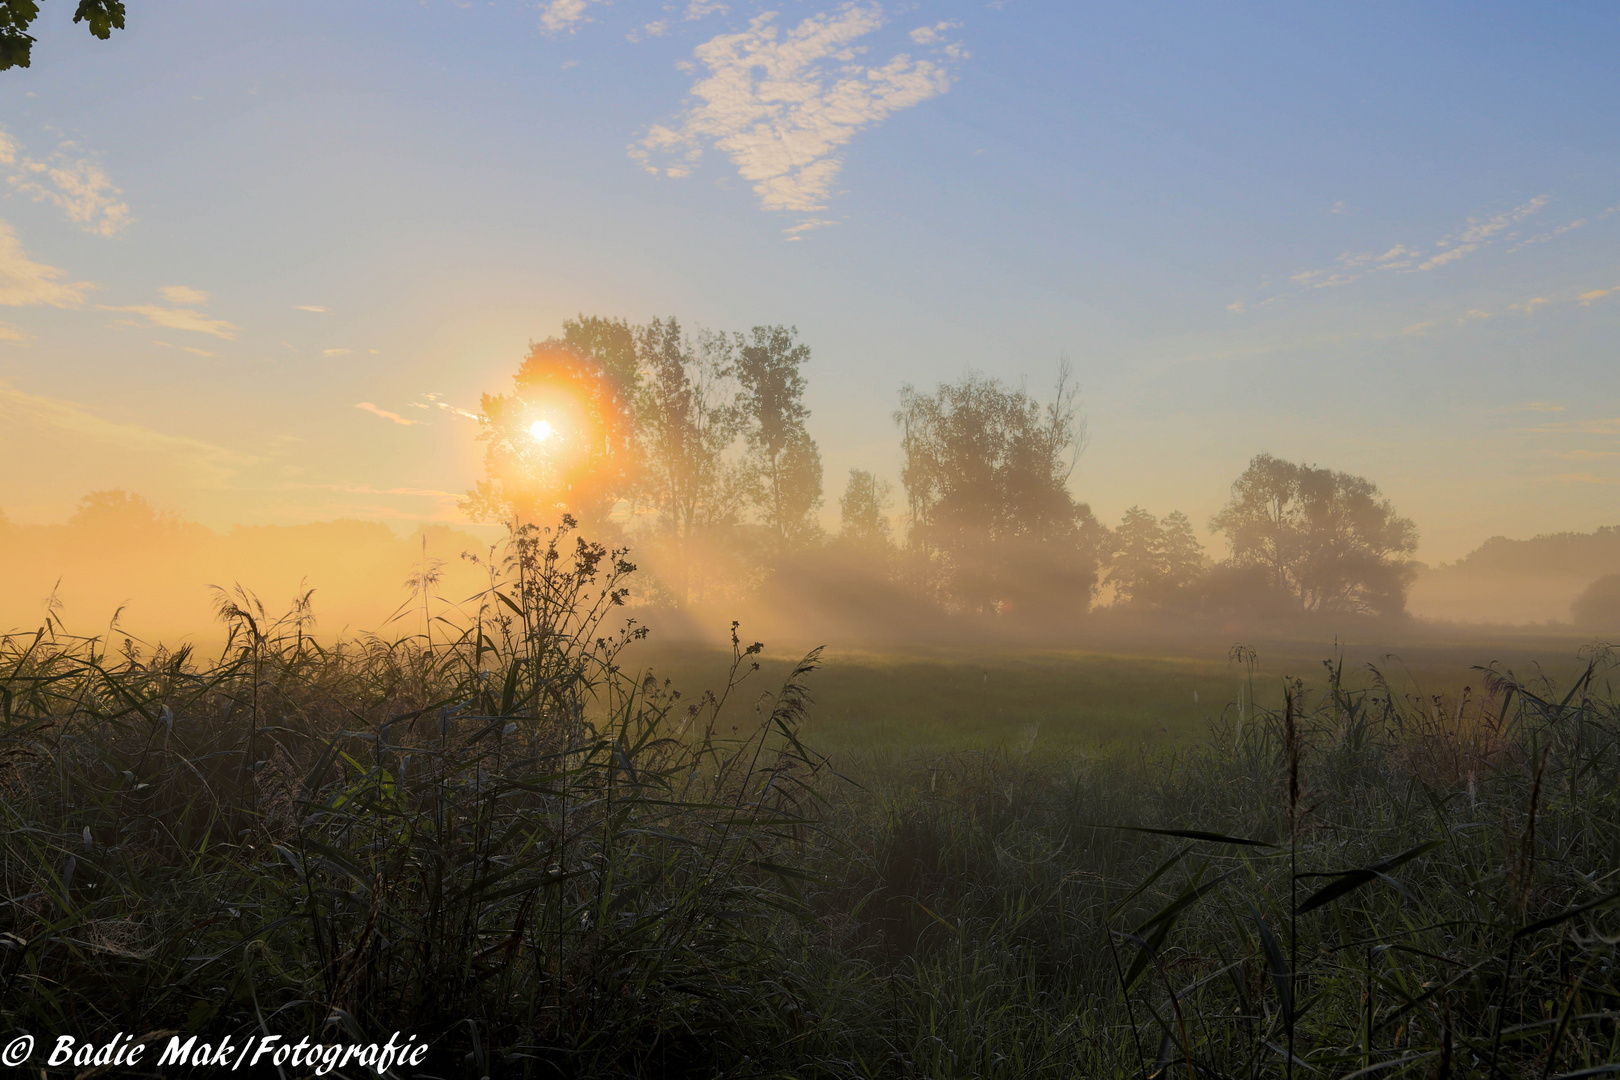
<point>785,466</point>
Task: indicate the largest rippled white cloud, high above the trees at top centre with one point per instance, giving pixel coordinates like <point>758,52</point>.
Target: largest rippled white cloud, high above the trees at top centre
<point>782,104</point>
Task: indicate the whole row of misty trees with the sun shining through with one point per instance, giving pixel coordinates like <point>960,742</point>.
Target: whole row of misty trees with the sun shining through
<point>693,448</point>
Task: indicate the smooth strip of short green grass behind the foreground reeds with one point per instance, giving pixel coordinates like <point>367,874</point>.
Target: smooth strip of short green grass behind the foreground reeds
<point>921,702</point>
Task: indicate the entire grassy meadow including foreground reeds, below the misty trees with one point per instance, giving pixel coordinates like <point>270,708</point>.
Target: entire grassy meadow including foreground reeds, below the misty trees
<point>547,861</point>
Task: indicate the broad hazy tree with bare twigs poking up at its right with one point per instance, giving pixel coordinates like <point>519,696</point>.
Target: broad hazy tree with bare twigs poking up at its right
<point>986,474</point>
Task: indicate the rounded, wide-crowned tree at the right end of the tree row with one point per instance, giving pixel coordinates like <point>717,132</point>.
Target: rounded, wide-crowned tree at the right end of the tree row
<point>1328,540</point>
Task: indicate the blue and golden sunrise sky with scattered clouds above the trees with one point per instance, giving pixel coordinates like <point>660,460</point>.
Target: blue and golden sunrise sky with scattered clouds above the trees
<point>258,260</point>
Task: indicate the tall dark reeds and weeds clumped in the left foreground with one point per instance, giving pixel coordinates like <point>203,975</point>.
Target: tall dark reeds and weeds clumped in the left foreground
<point>506,843</point>
